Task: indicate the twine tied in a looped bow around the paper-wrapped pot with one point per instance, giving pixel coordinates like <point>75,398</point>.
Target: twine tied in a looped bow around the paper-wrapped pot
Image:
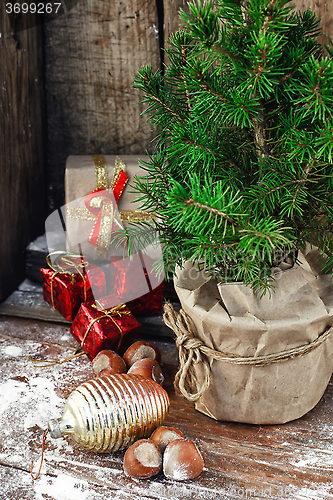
<point>192,351</point>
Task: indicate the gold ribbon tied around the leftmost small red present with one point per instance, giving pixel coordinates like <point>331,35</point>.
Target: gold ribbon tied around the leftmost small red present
<point>63,268</point>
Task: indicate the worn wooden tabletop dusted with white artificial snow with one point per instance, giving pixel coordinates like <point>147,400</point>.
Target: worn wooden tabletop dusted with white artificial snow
<point>293,460</point>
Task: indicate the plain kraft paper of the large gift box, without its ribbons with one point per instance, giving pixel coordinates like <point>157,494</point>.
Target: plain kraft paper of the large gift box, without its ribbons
<point>79,182</point>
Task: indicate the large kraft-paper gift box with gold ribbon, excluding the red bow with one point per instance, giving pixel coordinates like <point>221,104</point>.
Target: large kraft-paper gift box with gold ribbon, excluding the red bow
<point>85,174</point>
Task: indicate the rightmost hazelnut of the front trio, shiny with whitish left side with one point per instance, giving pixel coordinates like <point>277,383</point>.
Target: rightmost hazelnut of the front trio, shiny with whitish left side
<point>182,460</point>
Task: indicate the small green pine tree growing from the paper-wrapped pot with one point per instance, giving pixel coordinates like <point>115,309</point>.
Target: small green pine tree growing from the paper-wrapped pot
<point>243,175</point>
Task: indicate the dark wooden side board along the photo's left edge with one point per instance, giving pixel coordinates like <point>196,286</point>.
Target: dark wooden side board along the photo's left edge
<point>22,190</point>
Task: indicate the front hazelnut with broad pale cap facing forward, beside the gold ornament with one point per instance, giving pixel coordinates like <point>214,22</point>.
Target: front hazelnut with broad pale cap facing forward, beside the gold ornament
<point>143,459</point>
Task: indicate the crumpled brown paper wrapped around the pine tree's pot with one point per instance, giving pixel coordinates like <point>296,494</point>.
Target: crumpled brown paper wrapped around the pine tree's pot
<point>231,319</point>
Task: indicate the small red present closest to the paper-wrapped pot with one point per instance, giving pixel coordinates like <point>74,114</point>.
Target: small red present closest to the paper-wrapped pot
<point>135,283</point>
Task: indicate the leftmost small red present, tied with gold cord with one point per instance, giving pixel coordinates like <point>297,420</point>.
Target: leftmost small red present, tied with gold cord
<point>69,281</point>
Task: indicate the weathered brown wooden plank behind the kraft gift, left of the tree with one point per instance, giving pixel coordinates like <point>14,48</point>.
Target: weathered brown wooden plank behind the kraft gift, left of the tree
<point>92,54</point>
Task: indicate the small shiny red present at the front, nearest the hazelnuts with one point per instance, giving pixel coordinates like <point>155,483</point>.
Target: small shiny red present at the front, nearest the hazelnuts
<point>97,328</point>
